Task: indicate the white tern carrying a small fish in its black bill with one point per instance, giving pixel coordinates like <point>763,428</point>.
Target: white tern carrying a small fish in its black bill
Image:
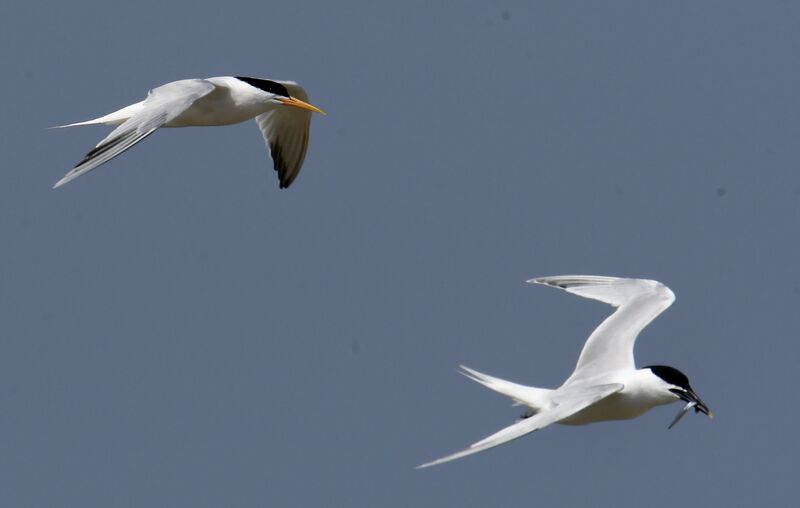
<point>605,385</point>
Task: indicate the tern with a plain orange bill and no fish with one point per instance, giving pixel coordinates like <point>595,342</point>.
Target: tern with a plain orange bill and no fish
<point>279,107</point>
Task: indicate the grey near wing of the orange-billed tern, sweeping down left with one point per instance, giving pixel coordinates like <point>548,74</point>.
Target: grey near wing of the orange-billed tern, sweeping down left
<point>161,106</point>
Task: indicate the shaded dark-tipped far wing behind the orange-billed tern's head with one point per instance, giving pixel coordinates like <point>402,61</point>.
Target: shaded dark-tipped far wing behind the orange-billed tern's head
<point>285,131</point>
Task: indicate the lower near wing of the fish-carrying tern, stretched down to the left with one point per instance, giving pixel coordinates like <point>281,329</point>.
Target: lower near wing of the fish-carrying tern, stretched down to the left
<point>565,404</point>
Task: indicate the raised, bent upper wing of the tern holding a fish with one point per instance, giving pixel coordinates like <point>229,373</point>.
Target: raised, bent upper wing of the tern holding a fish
<point>610,346</point>
